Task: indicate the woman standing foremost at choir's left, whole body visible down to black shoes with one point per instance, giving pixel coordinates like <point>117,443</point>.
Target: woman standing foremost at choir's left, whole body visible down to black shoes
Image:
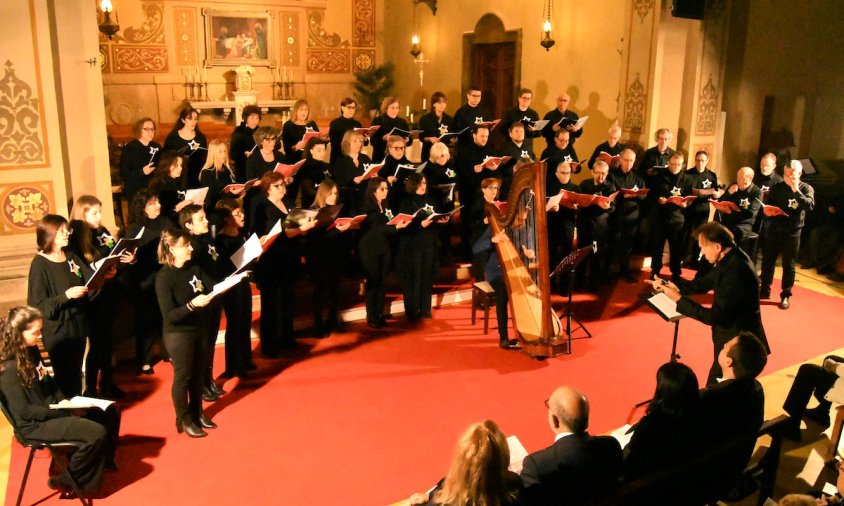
<point>181,289</point>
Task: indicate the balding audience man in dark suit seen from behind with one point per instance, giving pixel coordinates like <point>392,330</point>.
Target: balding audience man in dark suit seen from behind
<point>577,468</point>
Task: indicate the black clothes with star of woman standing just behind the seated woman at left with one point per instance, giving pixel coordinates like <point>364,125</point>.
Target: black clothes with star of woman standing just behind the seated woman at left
<point>66,321</point>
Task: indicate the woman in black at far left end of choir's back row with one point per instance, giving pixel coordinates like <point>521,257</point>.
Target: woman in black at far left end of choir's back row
<point>138,158</point>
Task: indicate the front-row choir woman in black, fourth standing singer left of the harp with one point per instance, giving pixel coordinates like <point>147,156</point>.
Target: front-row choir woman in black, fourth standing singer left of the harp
<point>276,268</point>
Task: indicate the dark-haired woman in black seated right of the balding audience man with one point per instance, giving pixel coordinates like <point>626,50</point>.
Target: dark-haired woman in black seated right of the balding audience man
<point>665,436</point>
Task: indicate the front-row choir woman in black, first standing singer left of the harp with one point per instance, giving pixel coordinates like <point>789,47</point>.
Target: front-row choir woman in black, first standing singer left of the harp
<point>418,259</point>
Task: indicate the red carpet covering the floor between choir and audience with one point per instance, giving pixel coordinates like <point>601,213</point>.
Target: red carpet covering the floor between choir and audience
<point>370,417</point>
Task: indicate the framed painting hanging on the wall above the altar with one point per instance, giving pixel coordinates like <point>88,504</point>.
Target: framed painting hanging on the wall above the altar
<point>239,38</point>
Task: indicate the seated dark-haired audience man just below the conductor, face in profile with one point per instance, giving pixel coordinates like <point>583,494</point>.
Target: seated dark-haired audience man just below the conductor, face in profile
<point>732,408</point>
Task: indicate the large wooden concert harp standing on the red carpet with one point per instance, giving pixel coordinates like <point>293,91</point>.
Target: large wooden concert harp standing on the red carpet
<point>525,262</point>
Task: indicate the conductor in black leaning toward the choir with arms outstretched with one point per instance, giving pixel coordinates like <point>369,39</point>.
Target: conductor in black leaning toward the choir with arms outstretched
<point>735,305</point>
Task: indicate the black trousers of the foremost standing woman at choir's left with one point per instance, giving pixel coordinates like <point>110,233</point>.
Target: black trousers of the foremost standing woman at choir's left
<point>189,354</point>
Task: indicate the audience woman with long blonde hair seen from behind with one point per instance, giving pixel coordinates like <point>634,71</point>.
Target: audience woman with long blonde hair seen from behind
<point>478,472</point>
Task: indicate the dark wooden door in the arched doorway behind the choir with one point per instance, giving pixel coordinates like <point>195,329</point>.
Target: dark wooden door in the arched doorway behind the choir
<point>493,69</point>
